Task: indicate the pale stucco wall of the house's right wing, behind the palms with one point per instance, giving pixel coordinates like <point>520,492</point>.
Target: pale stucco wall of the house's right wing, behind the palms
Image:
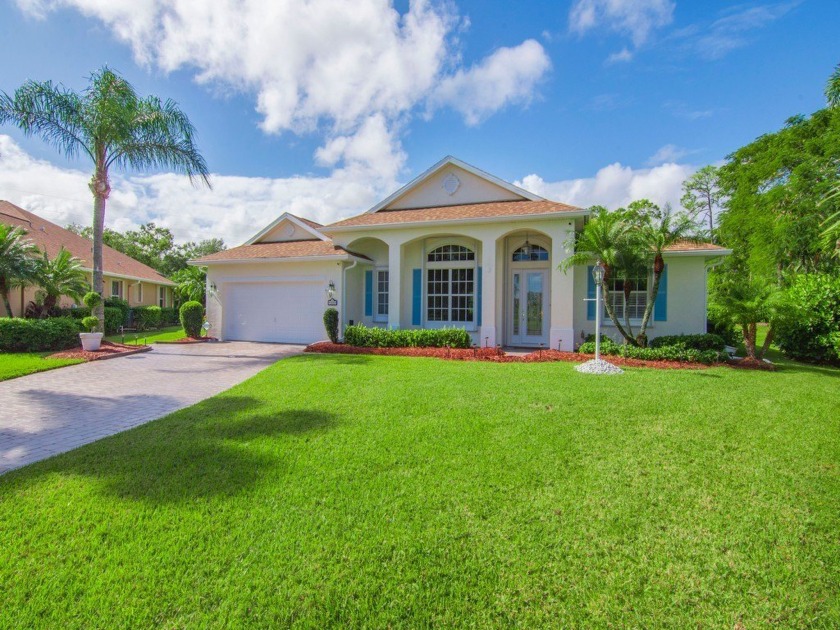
<point>686,299</point>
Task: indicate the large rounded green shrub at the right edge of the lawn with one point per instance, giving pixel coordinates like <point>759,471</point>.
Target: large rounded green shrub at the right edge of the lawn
<point>810,327</point>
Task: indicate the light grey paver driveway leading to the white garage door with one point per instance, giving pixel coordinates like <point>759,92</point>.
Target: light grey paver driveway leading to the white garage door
<point>51,412</point>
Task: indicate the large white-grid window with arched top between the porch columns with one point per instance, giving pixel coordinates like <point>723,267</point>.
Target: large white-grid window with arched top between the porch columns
<point>450,285</point>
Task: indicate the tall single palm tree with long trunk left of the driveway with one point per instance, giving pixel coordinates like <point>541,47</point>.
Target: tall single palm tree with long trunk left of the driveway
<point>114,127</point>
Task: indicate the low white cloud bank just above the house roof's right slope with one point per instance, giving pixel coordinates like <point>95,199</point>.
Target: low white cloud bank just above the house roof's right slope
<point>615,185</point>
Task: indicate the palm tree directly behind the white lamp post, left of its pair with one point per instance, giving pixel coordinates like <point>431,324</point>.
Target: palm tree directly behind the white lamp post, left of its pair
<point>610,238</point>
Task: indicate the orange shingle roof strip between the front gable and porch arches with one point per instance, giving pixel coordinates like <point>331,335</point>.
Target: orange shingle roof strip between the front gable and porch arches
<point>453,213</point>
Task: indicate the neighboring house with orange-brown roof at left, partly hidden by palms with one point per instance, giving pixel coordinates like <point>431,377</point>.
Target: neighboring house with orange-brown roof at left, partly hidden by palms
<point>124,277</point>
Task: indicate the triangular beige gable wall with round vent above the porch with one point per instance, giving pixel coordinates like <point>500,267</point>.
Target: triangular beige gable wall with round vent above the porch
<point>471,189</point>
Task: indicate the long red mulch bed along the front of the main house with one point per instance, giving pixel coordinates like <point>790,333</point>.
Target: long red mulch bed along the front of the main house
<point>496,355</point>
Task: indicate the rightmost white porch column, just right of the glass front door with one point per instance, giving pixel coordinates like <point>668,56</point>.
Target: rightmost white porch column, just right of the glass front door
<point>562,330</point>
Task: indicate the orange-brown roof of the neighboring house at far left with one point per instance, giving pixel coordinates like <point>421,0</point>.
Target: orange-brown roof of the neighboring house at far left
<point>50,238</point>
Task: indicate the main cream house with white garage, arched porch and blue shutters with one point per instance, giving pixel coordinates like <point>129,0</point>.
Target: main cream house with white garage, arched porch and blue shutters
<point>455,247</point>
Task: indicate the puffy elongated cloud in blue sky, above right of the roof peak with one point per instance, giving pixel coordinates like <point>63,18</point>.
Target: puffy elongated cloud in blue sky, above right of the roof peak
<point>505,77</point>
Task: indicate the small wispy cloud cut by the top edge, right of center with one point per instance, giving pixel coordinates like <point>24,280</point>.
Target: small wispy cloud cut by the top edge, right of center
<point>636,19</point>
